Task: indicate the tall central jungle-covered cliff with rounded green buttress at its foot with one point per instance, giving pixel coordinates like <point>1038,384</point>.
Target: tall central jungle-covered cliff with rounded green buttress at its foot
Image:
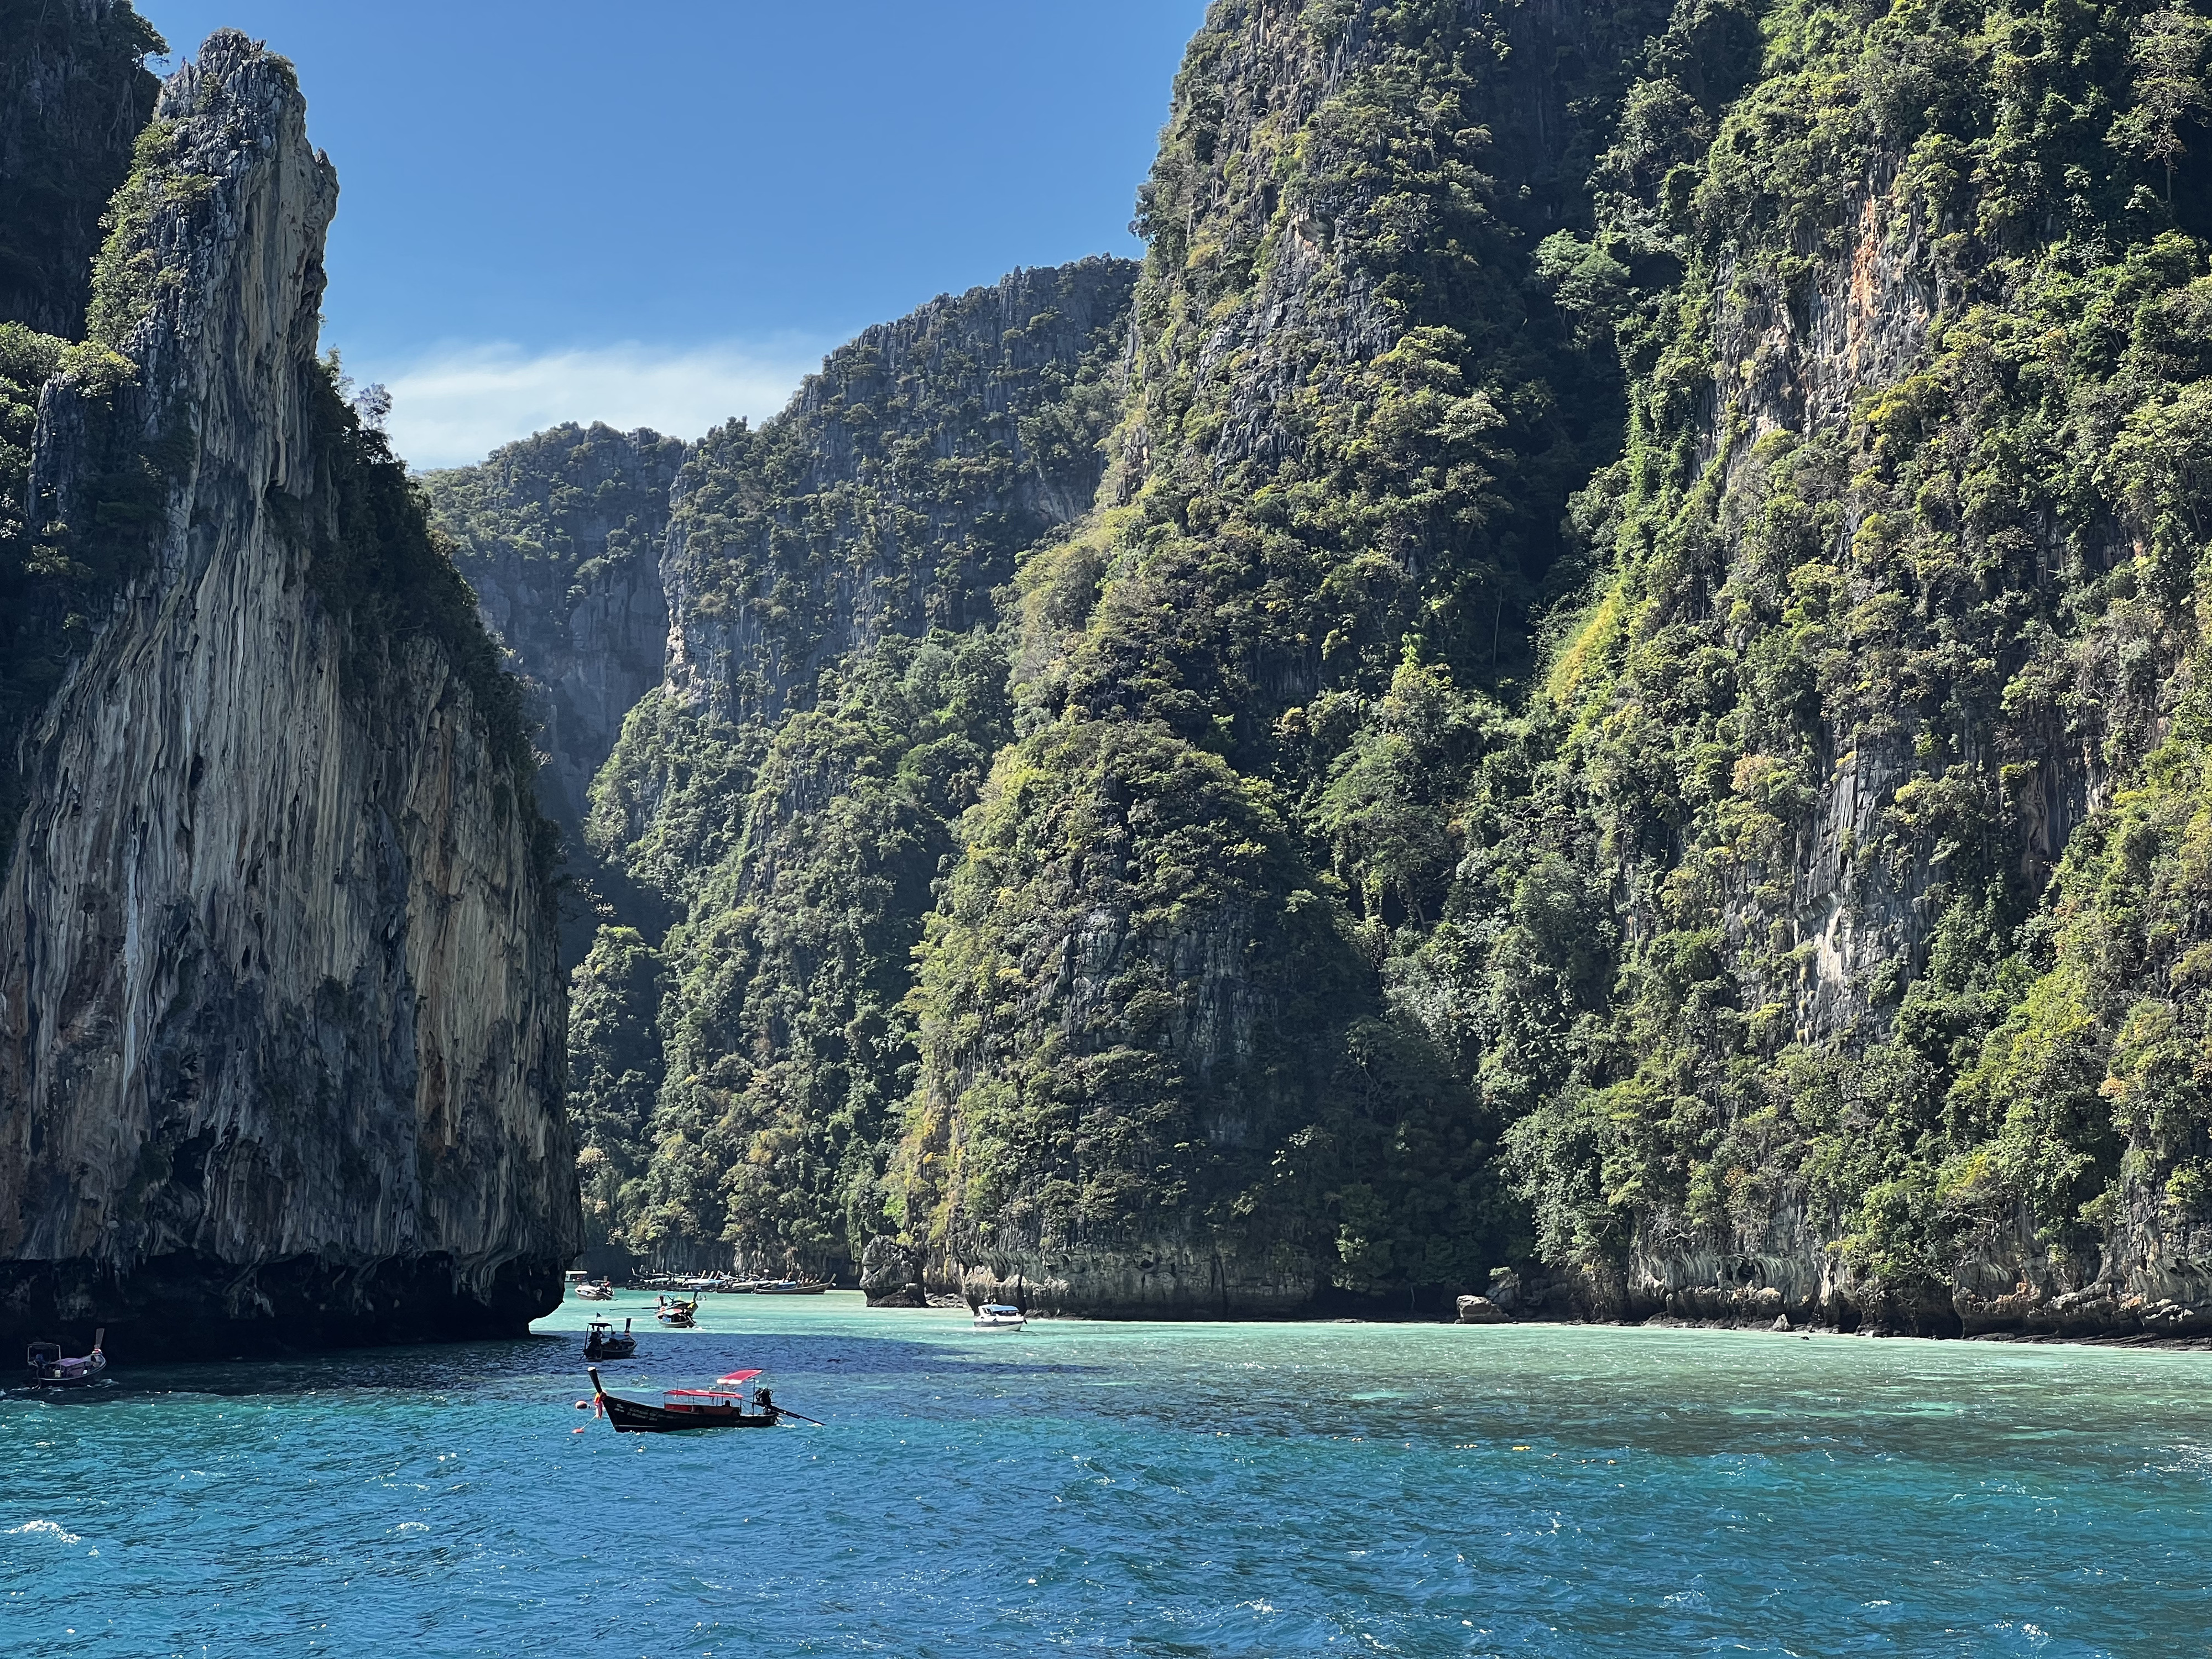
<point>1162,1070</point>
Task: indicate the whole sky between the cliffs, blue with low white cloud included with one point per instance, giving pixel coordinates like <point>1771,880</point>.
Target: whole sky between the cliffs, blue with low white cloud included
<point>665,213</point>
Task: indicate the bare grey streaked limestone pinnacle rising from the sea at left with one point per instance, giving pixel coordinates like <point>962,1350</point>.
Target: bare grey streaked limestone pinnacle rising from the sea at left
<point>280,1005</point>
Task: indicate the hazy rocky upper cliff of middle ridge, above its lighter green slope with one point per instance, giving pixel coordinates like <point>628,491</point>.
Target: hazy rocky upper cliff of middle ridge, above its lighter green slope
<point>897,490</point>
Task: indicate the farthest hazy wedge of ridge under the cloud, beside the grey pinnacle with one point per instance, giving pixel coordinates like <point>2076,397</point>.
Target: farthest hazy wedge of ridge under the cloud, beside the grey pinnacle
<point>561,536</point>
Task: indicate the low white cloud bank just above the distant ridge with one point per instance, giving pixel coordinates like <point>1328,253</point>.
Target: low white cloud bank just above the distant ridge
<point>459,404</point>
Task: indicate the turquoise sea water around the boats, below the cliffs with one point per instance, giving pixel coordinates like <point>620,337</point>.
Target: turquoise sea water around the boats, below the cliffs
<point>1145,1490</point>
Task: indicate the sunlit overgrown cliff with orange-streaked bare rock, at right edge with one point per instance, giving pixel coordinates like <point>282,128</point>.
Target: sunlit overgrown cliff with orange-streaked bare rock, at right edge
<point>1892,625</point>
